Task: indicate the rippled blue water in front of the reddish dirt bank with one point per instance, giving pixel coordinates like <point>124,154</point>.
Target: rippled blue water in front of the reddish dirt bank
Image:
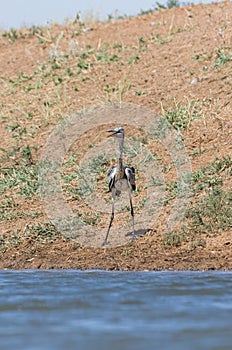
<point>46,310</point>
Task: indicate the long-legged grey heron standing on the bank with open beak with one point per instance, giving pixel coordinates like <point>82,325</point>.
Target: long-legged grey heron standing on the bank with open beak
<point>121,178</point>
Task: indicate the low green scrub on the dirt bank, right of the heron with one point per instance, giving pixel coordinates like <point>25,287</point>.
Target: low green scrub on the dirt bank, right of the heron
<point>212,212</point>
